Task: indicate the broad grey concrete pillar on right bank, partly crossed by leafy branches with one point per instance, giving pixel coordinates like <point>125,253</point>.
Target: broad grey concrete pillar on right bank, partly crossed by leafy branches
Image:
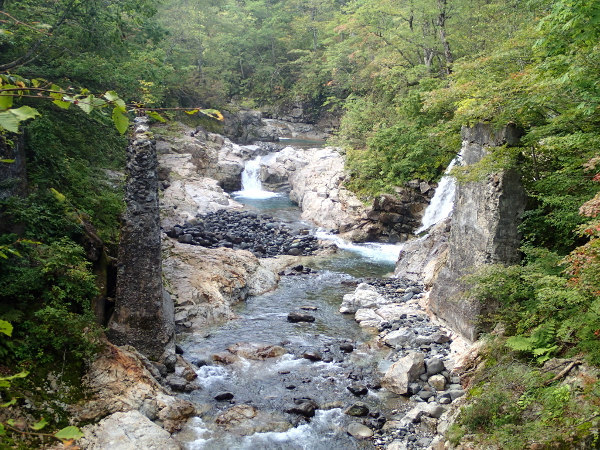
<point>484,230</point>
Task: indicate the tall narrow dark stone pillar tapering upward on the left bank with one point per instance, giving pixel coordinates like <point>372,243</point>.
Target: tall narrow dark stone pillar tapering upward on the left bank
<point>143,316</point>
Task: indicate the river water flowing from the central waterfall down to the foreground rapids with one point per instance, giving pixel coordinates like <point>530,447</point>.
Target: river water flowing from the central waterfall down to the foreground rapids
<point>272,385</point>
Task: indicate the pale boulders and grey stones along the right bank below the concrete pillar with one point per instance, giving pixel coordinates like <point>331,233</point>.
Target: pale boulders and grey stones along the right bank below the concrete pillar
<point>419,368</point>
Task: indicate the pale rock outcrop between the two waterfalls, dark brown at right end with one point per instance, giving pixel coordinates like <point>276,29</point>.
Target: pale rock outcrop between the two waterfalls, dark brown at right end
<point>315,181</point>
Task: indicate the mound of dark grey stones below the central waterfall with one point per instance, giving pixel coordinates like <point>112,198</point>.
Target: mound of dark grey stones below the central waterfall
<point>260,234</point>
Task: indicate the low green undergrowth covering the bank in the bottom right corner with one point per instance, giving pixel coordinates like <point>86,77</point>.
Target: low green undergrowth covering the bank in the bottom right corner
<point>513,406</point>
